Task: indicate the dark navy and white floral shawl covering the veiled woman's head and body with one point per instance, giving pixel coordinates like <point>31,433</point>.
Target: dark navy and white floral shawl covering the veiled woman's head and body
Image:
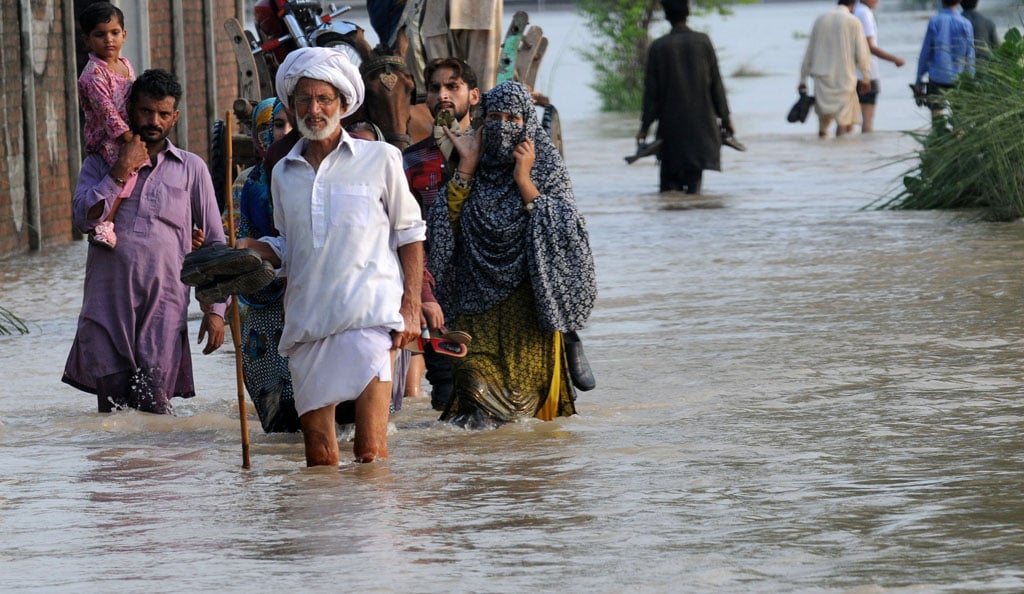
<point>500,245</point>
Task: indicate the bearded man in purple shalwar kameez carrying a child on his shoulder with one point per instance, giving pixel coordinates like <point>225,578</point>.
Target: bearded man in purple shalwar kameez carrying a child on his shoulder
<point>132,349</point>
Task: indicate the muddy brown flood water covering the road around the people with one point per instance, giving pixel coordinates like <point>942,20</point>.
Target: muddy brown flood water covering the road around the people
<point>795,395</point>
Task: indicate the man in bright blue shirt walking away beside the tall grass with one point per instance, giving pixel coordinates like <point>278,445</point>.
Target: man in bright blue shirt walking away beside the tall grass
<point>947,52</point>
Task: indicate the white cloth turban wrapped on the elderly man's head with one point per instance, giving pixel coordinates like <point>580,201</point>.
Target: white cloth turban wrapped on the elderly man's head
<point>323,64</point>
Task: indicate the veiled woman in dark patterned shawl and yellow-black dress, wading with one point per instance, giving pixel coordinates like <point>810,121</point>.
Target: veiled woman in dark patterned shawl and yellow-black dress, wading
<point>514,267</point>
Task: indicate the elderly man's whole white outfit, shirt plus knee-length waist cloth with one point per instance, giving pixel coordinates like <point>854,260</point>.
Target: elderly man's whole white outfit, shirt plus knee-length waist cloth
<point>340,230</point>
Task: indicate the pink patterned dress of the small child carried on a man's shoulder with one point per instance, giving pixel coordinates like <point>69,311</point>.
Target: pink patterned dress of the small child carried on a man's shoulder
<point>104,96</point>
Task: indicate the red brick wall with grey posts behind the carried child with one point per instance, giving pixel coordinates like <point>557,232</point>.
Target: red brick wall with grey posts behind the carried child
<point>39,143</point>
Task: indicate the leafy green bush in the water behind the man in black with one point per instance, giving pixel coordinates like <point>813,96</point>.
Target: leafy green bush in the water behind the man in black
<point>622,37</point>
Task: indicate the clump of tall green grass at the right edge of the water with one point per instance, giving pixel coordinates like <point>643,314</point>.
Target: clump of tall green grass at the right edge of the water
<point>973,157</point>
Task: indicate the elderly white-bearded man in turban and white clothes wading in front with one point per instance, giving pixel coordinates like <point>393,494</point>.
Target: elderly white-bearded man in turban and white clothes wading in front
<point>352,248</point>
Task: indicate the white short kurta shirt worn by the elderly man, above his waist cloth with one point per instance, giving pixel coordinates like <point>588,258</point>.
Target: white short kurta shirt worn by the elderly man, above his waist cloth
<point>340,231</point>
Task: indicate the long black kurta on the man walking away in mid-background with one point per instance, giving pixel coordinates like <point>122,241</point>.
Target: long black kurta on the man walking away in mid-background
<point>684,92</point>
